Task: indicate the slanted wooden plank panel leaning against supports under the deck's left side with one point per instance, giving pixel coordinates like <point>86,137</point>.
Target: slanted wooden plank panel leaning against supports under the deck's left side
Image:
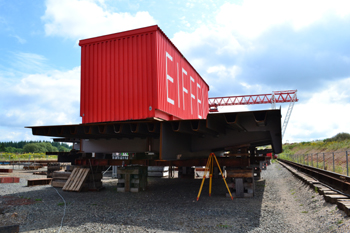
<point>76,180</point>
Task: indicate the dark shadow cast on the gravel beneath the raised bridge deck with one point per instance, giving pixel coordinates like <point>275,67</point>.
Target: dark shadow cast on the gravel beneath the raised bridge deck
<point>167,205</point>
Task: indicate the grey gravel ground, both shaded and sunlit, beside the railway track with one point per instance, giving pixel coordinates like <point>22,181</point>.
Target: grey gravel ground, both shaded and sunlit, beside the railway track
<point>282,203</point>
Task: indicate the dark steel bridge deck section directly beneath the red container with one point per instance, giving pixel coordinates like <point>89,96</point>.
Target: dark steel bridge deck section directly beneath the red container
<point>188,138</point>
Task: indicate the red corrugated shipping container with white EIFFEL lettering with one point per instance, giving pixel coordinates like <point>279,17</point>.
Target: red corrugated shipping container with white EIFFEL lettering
<point>138,74</point>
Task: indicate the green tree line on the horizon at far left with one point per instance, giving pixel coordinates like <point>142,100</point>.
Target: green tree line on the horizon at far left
<point>34,147</point>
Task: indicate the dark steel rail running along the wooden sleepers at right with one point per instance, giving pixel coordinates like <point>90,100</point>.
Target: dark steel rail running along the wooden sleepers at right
<point>335,180</point>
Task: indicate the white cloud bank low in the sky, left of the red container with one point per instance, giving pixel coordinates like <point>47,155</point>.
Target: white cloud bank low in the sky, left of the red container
<point>50,98</point>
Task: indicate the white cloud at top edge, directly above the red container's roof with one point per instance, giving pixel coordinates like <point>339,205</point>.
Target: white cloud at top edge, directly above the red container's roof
<point>79,19</point>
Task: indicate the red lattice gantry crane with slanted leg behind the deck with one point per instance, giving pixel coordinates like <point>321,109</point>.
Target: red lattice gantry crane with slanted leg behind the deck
<point>289,96</point>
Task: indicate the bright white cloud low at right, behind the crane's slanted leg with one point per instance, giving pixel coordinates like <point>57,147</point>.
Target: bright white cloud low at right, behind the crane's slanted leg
<point>325,113</point>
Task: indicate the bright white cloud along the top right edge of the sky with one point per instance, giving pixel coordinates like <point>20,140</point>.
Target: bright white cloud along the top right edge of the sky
<point>253,17</point>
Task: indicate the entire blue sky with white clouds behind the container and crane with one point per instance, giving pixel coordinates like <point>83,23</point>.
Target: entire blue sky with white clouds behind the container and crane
<point>238,47</point>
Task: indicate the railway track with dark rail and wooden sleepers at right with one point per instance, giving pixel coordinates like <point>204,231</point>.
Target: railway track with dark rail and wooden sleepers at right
<point>334,187</point>
